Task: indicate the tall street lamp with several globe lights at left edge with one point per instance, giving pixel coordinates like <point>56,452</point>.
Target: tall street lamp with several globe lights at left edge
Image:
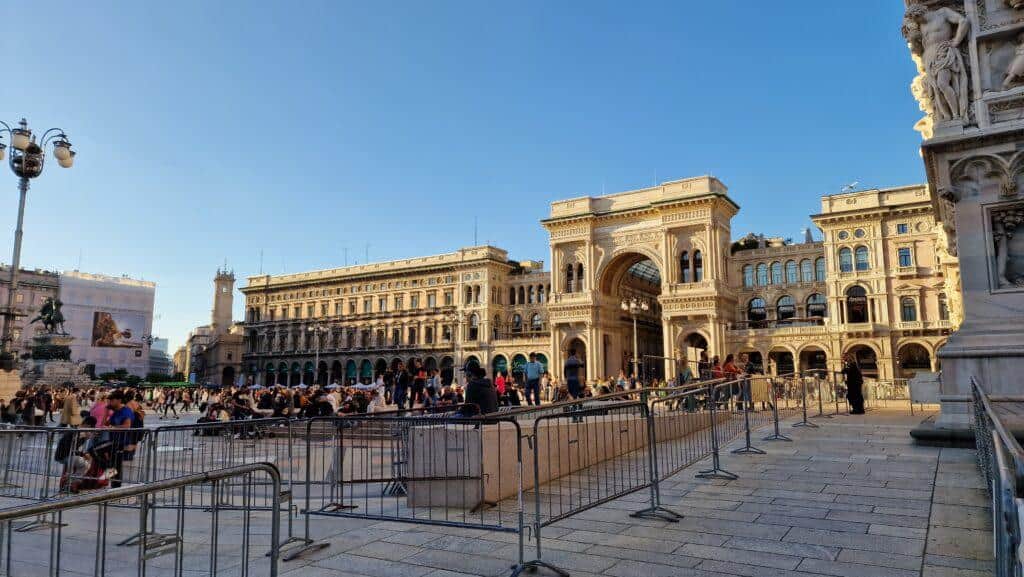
<point>27,159</point>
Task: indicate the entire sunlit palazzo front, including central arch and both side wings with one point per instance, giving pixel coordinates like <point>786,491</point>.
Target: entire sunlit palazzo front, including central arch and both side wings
<point>880,285</point>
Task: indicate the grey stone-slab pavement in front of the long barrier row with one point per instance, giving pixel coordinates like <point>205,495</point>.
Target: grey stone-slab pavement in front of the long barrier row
<point>855,499</point>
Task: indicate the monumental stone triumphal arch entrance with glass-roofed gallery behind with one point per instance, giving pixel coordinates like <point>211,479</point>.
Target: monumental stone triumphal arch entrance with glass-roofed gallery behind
<point>665,248</point>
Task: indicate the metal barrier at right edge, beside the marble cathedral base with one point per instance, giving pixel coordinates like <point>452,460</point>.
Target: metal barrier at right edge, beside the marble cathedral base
<point>1001,460</point>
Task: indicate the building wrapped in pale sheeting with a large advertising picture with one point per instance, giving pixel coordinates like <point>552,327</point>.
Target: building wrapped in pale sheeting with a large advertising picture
<point>111,319</point>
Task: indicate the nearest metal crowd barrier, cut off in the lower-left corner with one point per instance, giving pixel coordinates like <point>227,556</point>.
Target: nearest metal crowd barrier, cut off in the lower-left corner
<point>92,518</point>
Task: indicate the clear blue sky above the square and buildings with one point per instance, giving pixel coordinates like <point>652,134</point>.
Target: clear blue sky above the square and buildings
<point>217,130</point>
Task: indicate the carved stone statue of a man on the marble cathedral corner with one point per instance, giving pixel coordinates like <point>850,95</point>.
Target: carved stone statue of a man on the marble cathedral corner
<point>936,35</point>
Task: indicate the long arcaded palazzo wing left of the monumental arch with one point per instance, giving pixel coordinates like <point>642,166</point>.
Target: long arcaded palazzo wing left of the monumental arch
<point>346,324</point>
